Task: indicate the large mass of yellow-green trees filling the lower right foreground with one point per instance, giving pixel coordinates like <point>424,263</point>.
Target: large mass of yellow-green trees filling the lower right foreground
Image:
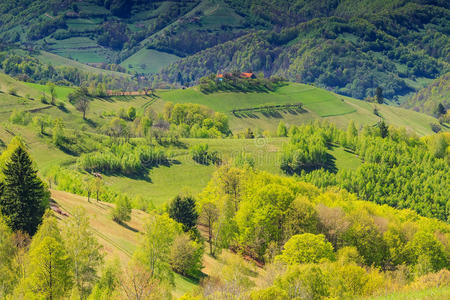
<point>325,243</point>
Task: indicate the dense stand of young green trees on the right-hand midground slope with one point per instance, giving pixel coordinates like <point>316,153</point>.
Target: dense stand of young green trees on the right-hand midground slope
<point>398,169</point>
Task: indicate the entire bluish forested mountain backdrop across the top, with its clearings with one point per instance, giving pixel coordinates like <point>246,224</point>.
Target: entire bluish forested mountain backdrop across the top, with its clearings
<point>348,46</point>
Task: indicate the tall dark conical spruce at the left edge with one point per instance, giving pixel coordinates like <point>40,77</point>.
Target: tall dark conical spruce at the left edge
<point>23,196</point>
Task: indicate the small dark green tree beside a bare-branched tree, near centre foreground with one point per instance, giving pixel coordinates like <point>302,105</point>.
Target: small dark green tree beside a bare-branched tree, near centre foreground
<point>183,210</point>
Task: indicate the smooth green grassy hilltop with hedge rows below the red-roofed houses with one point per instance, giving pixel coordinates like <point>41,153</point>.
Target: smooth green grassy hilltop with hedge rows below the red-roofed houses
<point>318,104</point>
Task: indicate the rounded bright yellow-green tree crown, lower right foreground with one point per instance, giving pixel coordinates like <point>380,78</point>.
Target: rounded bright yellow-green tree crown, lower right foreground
<point>306,248</point>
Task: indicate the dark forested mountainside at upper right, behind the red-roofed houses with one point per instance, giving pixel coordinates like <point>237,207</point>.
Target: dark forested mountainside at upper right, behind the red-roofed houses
<point>350,47</point>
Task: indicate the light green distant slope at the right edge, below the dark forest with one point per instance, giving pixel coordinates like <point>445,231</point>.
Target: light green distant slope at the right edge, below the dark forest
<point>427,99</point>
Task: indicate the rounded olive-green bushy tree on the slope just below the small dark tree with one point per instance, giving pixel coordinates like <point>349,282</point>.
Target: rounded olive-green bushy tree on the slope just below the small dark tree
<point>186,256</point>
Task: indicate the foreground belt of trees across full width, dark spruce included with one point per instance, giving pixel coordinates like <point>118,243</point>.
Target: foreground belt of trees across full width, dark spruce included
<point>314,243</point>
